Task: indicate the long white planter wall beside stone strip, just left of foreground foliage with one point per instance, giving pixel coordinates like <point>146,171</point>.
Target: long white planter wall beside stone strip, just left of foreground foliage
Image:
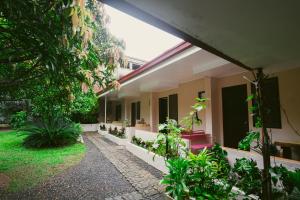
<point>147,156</point>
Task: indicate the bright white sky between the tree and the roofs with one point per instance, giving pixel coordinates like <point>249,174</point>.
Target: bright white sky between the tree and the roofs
<point>142,40</point>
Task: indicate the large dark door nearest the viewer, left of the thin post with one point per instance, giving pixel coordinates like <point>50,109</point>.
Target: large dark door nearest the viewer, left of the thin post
<point>235,114</point>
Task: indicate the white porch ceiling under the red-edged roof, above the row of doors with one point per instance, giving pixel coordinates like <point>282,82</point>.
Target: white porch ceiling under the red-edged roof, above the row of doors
<point>191,64</point>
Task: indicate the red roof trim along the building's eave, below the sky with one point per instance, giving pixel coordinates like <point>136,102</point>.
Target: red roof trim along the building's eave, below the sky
<point>154,62</point>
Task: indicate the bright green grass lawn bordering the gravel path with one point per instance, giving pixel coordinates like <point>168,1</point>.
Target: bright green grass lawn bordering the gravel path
<point>28,167</point>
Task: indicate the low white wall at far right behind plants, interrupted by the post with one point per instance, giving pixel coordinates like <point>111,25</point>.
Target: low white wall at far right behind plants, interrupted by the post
<point>233,154</point>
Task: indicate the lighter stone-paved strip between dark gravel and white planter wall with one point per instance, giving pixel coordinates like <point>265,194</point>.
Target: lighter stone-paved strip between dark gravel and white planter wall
<point>146,184</point>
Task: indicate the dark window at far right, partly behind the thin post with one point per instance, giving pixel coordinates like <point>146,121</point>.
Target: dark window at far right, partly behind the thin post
<point>271,102</point>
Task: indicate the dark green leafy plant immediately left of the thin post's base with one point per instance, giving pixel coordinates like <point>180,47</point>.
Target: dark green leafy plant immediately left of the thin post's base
<point>248,176</point>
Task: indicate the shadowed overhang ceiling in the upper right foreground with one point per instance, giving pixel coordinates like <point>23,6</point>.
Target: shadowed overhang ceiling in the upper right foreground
<point>248,33</point>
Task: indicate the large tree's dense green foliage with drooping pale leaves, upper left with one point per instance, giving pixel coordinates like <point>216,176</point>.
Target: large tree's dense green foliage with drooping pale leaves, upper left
<point>50,48</point>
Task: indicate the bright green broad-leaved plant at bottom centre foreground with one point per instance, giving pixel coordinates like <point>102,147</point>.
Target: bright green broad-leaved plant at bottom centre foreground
<point>196,177</point>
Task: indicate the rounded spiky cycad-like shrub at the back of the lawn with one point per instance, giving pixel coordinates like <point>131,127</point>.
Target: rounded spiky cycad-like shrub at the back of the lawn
<point>51,133</point>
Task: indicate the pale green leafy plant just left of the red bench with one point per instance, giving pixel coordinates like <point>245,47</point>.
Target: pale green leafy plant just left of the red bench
<point>168,142</point>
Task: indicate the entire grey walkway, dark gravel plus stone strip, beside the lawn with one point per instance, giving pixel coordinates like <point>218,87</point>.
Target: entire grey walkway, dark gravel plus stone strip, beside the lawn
<point>107,171</point>
